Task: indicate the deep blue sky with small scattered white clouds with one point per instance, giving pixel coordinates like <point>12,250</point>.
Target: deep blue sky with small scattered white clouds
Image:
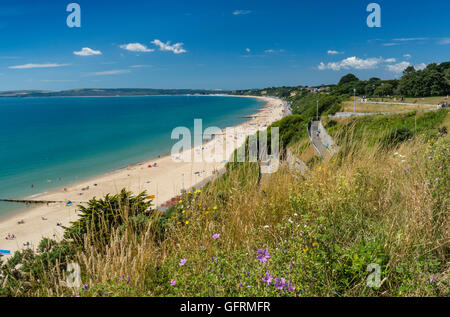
<point>214,44</point>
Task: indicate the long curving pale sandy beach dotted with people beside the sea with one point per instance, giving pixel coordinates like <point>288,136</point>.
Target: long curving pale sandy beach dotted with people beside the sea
<point>170,176</point>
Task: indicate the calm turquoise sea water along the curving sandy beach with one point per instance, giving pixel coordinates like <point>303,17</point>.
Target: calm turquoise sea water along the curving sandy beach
<point>52,142</point>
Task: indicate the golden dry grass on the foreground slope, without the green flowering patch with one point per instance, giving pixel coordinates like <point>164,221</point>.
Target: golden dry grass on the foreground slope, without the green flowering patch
<point>365,196</point>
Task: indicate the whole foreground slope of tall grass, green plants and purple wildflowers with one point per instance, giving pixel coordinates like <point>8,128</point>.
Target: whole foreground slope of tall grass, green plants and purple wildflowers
<point>370,204</point>
